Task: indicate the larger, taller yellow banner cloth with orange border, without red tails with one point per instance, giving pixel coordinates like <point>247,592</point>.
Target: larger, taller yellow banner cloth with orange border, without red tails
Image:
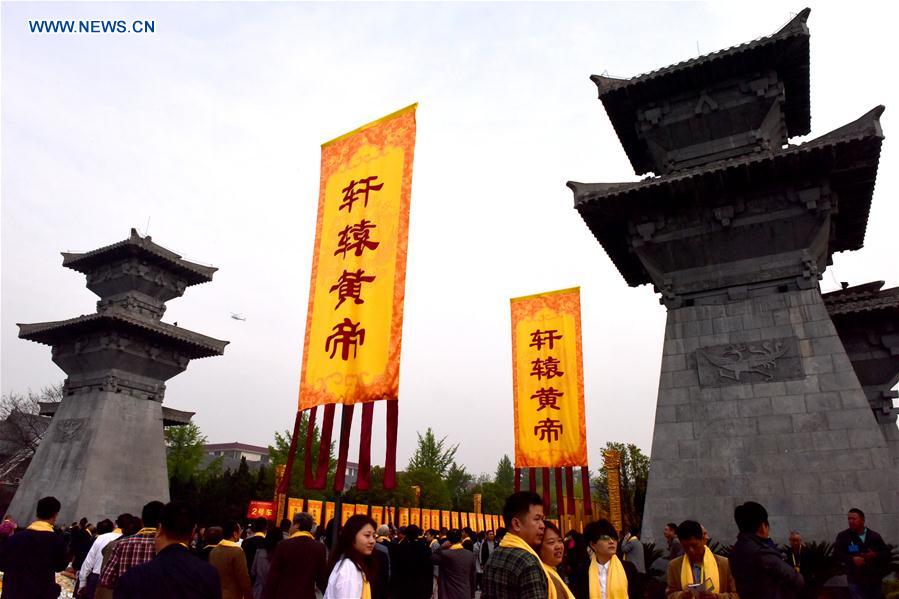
<point>351,352</point>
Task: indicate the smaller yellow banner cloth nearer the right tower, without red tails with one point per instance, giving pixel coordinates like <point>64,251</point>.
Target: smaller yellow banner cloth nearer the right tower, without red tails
<point>548,380</point>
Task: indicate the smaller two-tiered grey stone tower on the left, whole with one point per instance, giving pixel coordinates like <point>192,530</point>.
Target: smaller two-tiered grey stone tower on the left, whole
<point>104,453</point>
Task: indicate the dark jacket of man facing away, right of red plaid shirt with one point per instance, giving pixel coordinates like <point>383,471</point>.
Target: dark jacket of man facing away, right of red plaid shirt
<point>173,574</point>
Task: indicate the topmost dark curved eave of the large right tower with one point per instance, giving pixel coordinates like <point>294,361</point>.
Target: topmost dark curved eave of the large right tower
<point>787,52</point>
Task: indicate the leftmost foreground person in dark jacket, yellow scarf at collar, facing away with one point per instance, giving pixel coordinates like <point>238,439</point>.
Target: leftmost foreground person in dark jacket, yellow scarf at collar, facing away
<point>30,559</point>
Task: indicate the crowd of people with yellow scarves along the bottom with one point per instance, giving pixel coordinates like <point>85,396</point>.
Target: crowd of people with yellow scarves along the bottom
<point>164,555</point>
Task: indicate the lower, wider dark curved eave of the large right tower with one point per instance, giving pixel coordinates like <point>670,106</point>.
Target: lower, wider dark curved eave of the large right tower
<point>849,155</point>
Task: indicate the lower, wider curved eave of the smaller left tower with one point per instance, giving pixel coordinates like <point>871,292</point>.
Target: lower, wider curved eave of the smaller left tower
<point>57,332</point>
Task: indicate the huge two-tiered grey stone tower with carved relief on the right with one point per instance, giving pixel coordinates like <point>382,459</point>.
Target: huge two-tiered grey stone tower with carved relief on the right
<point>757,396</point>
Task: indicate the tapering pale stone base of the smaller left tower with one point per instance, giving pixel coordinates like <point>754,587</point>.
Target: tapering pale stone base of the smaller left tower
<point>103,455</point>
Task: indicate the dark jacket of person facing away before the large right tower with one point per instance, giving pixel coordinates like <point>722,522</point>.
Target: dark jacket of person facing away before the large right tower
<point>760,571</point>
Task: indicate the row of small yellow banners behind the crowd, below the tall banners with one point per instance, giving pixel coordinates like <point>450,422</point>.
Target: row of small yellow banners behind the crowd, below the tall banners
<point>400,516</point>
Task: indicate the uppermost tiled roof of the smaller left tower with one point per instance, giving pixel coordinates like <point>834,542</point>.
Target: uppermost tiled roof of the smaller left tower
<point>143,247</point>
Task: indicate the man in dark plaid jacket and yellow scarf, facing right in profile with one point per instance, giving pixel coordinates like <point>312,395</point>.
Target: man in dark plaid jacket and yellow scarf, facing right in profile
<point>514,572</point>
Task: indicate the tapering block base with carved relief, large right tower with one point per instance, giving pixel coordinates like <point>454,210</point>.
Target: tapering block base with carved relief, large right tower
<point>759,401</point>
